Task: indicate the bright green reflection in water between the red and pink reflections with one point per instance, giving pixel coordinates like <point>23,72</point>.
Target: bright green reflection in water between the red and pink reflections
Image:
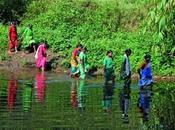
<point>27,96</point>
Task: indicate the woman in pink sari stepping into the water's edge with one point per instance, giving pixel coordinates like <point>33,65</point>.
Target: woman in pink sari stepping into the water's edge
<point>41,55</point>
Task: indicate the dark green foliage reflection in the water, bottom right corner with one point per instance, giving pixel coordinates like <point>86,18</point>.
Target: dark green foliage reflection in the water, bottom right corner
<point>162,112</point>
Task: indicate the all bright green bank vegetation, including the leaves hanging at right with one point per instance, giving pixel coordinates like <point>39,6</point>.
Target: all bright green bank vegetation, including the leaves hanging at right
<point>105,24</point>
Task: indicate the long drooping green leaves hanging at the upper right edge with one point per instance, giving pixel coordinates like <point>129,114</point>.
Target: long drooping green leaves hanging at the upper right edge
<point>161,21</point>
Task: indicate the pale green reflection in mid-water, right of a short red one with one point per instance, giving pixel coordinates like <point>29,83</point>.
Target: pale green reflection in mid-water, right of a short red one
<point>82,94</point>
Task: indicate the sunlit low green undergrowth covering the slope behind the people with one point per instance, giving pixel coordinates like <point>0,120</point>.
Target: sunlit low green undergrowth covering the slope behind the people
<point>99,25</point>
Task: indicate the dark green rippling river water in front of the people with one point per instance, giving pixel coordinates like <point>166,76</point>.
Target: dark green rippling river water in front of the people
<point>36,100</point>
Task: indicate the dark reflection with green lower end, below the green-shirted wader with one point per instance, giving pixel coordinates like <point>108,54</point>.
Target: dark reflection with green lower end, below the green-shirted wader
<point>107,97</point>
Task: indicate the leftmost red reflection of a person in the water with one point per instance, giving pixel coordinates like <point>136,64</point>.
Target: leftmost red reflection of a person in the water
<point>12,91</point>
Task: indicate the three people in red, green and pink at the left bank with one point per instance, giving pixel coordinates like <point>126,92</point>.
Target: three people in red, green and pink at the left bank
<point>28,44</point>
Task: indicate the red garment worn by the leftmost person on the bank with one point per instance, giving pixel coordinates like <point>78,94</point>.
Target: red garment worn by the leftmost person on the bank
<point>13,36</point>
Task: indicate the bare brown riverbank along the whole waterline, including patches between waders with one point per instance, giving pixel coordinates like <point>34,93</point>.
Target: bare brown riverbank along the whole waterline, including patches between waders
<point>21,62</point>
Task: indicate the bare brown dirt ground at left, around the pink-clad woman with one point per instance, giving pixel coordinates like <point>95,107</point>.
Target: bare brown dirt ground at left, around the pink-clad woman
<point>21,61</point>
